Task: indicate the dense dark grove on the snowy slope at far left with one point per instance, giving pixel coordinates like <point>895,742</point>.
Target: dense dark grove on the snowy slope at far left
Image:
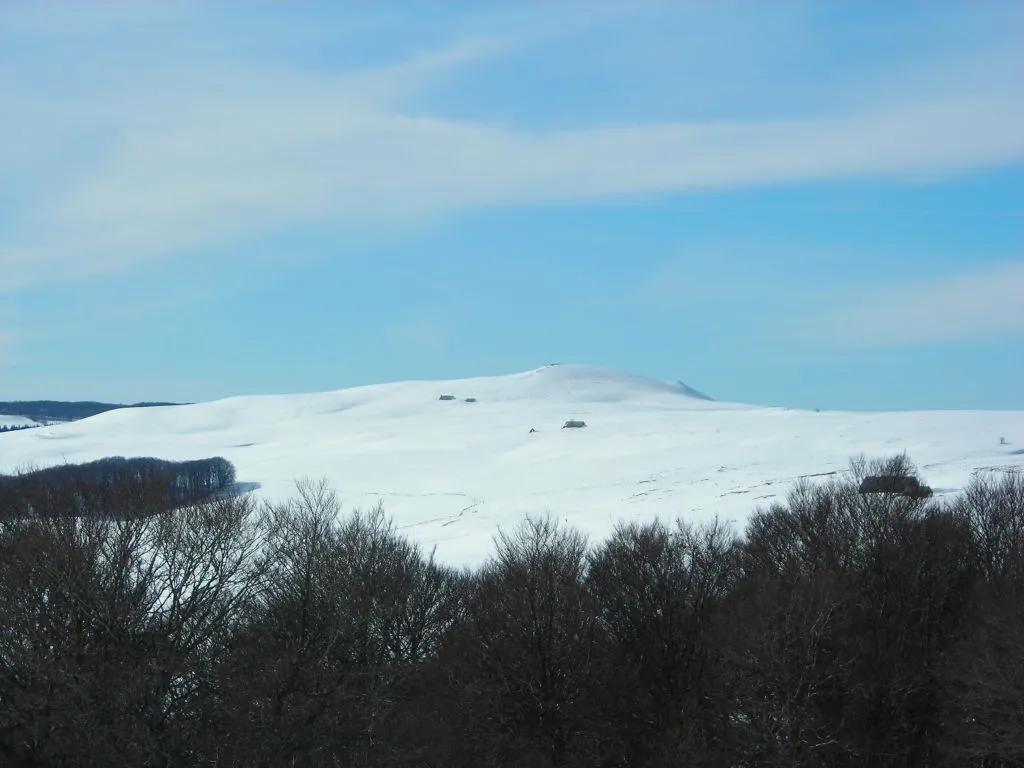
<point>113,488</point>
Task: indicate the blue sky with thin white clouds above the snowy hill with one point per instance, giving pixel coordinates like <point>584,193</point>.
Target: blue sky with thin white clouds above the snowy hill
<point>818,205</point>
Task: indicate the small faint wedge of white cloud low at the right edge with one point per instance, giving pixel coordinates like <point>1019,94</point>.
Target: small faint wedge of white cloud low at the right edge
<point>984,304</point>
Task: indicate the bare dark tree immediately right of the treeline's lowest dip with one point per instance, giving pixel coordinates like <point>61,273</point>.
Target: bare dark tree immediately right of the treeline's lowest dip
<point>524,659</point>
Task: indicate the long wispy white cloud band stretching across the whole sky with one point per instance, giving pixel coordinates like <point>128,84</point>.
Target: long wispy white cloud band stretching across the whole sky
<point>262,152</point>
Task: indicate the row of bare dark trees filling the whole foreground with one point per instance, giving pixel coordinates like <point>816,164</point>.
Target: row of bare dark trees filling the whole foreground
<point>842,629</point>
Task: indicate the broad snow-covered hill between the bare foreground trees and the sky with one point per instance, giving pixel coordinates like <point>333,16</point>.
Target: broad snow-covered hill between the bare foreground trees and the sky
<point>451,473</point>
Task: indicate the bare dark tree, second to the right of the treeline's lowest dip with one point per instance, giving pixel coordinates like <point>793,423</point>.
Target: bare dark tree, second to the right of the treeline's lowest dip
<point>655,593</point>
